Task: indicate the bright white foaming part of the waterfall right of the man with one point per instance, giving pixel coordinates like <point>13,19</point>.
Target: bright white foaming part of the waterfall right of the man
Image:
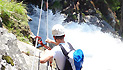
<point>102,51</point>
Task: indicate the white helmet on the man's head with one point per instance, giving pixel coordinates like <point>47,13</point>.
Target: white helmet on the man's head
<point>58,30</point>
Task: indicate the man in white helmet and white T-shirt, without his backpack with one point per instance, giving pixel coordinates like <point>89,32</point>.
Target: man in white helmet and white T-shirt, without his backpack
<point>58,35</point>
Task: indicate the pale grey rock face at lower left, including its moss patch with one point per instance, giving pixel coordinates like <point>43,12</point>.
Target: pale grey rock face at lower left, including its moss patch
<point>11,56</point>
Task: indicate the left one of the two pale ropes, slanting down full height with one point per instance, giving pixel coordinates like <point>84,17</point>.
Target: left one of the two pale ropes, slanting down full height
<point>37,33</point>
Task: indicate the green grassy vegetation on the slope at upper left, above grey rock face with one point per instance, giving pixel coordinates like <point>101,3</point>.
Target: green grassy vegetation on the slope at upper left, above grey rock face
<point>14,16</point>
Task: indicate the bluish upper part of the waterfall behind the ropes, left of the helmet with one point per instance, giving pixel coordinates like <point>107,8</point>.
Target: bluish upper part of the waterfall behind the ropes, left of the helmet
<point>52,20</point>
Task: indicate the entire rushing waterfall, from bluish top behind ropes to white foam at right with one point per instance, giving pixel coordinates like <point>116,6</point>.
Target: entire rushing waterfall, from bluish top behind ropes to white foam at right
<point>102,51</point>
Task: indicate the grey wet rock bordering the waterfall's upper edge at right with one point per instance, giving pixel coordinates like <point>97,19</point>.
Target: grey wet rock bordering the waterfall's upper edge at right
<point>105,27</point>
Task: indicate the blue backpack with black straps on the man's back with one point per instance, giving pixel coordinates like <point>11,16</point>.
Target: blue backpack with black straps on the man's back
<point>77,61</point>
